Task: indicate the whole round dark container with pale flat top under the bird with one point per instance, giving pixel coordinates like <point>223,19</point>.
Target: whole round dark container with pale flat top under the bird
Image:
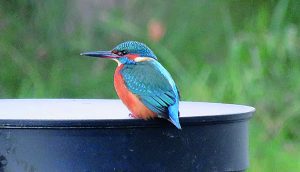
<point>98,135</point>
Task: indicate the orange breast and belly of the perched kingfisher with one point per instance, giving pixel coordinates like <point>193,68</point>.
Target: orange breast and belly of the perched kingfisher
<point>137,108</point>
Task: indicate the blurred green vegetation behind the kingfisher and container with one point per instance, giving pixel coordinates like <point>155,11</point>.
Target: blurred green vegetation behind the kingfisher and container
<point>243,52</point>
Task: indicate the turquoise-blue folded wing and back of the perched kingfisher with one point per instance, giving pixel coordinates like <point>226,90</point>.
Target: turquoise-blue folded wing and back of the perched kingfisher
<point>154,86</point>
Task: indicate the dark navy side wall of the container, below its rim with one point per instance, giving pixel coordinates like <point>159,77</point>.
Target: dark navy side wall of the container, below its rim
<point>202,147</point>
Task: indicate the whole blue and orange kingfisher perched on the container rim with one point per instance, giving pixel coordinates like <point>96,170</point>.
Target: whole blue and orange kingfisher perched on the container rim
<point>142,83</point>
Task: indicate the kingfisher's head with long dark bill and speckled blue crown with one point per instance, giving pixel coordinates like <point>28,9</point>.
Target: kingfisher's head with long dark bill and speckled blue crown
<point>130,52</point>
